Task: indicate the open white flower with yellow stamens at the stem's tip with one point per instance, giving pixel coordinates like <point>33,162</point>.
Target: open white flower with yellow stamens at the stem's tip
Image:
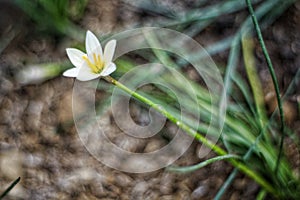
<point>94,63</point>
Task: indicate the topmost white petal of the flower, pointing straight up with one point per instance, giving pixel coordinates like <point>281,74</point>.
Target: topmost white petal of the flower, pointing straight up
<point>92,44</point>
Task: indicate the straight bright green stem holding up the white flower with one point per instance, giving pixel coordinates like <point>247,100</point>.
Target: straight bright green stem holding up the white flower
<point>218,150</point>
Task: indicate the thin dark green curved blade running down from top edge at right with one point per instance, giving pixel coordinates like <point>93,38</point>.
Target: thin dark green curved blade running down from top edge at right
<point>274,79</point>
